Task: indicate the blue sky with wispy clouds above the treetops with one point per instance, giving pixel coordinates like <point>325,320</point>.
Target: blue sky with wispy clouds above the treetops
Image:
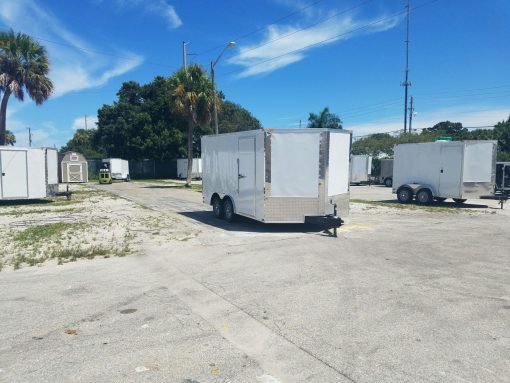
<point>291,58</point>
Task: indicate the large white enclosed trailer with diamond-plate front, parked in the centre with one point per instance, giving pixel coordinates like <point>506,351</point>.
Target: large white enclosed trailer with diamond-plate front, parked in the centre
<point>278,175</point>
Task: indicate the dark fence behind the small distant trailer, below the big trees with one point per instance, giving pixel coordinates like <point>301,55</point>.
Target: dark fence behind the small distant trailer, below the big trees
<point>140,169</point>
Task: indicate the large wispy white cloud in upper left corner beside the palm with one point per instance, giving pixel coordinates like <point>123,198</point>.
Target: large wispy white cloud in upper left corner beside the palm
<point>71,68</point>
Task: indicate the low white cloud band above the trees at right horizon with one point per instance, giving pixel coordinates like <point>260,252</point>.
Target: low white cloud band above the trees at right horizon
<point>469,116</point>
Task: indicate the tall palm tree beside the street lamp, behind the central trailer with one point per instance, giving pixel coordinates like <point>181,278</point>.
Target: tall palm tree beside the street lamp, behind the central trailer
<point>192,98</point>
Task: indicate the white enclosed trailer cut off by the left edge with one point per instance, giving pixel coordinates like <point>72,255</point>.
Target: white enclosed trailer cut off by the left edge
<point>28,173</point>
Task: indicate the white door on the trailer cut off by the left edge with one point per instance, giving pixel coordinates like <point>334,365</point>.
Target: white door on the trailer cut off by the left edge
<point>13,164</point>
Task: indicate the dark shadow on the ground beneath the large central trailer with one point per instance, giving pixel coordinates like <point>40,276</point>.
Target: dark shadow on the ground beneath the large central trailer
<point>243,224</point>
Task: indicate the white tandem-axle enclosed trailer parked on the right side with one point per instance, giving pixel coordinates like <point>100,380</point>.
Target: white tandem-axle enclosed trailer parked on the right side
<point>444,169</point>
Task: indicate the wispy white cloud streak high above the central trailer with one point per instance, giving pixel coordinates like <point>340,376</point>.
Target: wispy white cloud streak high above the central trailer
<point>284,45</point>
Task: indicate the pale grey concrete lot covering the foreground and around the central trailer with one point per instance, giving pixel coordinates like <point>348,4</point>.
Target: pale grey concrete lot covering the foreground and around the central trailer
<point>403,295</point>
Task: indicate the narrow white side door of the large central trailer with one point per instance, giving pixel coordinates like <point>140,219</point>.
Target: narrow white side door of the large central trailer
<point>246,177</point>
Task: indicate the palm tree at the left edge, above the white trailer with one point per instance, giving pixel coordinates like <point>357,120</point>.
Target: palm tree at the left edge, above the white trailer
<point>24,67</point>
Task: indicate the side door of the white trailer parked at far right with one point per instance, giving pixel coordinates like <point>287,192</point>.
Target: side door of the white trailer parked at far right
<point>450,172</point>
